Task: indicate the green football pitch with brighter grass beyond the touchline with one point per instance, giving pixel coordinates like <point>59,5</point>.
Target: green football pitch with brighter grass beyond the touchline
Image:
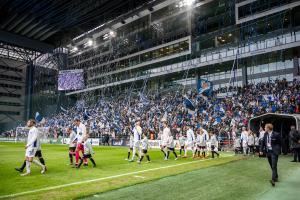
<point>228,177</point>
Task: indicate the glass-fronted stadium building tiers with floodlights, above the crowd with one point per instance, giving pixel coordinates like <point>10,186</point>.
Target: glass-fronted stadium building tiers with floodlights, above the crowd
<point>174,43</point>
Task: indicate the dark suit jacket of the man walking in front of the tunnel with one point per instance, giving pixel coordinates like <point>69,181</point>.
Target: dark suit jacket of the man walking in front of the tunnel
<point>275,143</point>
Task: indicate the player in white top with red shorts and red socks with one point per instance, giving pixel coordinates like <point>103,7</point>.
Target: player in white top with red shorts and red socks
<point>81,137</point>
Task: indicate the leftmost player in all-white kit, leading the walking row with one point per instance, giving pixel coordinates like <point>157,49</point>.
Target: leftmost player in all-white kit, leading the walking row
<point>31,147</point>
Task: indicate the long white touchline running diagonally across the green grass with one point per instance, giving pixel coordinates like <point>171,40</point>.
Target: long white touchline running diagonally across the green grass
<point>103,178</point>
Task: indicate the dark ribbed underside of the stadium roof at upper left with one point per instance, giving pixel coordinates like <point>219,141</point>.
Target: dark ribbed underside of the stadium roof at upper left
<point>55,22</point>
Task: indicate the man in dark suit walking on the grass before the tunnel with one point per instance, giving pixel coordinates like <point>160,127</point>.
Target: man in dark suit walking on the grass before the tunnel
<point>271,142</point>
